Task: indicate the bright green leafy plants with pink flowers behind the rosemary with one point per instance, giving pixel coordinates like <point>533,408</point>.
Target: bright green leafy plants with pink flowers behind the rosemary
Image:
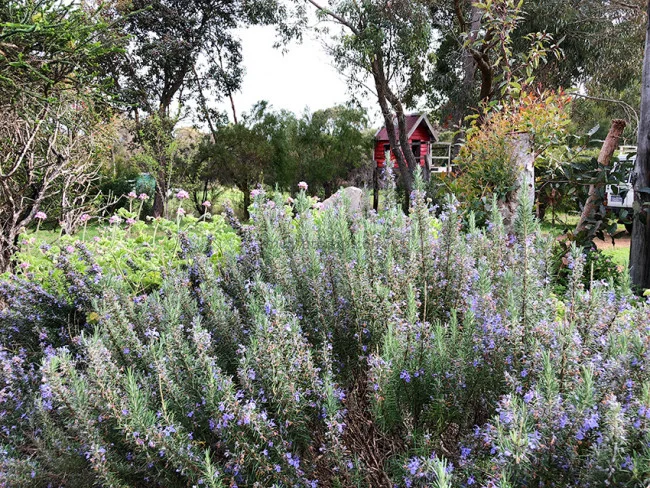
<point>128,248</point>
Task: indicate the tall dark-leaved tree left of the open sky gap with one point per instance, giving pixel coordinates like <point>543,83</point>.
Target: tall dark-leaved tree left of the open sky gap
<point>182,50</point>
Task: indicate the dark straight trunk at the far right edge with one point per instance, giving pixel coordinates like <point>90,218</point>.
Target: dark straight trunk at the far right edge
<point>640,246</point>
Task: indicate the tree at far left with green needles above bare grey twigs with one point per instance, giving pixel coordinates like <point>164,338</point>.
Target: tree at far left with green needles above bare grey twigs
<point>53,95</point>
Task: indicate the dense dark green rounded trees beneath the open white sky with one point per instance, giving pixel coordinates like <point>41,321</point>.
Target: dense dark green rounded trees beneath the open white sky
<point>276,148</point>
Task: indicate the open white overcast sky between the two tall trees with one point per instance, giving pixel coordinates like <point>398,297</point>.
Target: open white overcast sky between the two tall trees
<point>301,77</point>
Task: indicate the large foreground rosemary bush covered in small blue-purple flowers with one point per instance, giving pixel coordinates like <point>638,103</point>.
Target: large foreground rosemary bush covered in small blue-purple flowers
<point>334,349</point>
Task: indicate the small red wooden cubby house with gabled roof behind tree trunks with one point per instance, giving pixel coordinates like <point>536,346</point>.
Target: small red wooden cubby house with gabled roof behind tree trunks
<point>421,136</point>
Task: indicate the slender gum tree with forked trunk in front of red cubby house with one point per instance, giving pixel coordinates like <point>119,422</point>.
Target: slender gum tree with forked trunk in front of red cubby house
<point>389,43</point>
